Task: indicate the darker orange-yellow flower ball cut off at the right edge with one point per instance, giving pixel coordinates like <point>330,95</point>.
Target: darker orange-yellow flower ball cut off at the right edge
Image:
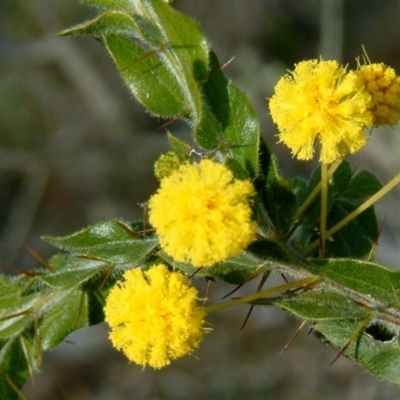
<point>383,84</point>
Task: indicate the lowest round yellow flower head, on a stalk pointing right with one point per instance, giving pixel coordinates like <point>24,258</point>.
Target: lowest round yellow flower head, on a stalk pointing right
<point>153,316</point>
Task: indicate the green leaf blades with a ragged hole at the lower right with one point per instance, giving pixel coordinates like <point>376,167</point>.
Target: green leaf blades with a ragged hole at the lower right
<point>356,308</point>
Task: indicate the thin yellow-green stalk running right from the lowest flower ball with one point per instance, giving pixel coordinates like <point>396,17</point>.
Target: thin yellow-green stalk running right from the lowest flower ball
<point>265,293</point>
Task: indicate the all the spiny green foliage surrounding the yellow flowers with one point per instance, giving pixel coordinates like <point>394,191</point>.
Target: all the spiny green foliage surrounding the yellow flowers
<point>165,61</point>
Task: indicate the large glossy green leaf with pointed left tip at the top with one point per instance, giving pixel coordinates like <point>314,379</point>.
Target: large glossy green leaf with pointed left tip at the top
<point>163,69</point>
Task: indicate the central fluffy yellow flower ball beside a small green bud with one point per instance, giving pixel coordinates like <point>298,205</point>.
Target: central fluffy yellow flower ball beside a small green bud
<point>202,215</point>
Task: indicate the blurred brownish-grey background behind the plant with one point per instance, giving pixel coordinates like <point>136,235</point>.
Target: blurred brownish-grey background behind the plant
<point>75,148</point>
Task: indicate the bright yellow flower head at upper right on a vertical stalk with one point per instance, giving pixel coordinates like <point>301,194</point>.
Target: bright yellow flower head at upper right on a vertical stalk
<point>319,100</point>
